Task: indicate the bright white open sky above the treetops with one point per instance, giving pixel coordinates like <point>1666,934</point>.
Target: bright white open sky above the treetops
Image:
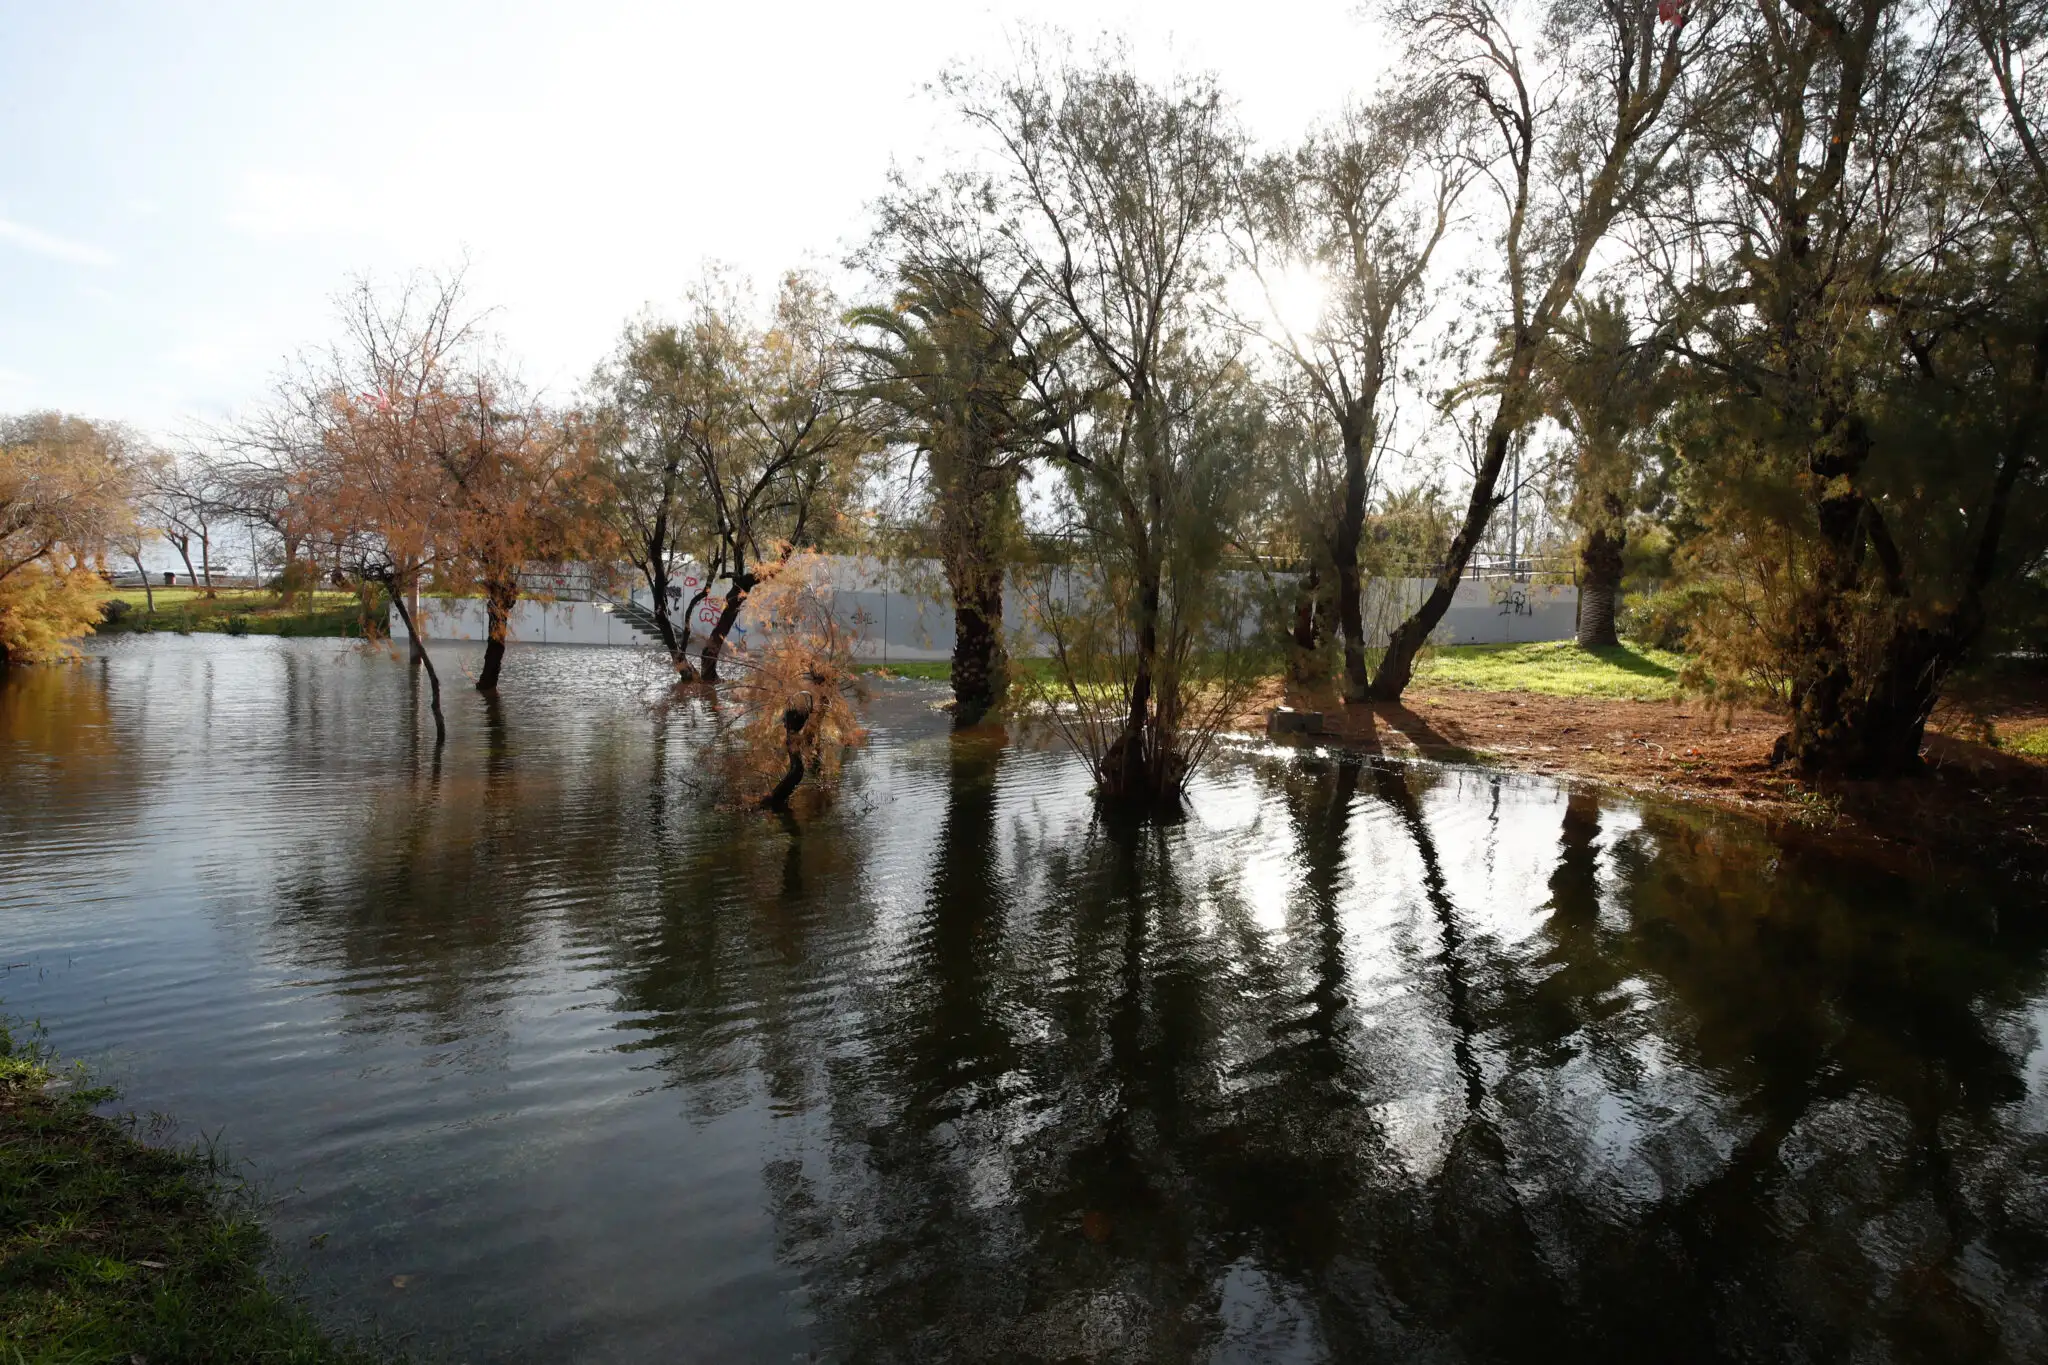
<point>185,187</point>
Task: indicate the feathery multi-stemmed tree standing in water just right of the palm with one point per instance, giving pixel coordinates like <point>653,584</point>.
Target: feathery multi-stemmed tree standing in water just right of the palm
<point>1113,193</point>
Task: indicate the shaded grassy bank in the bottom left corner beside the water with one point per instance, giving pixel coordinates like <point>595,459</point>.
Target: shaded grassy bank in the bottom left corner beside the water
<point>118,1251</point>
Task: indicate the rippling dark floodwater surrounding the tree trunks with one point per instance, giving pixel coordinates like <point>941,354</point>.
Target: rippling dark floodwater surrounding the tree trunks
<point>550,1055</point>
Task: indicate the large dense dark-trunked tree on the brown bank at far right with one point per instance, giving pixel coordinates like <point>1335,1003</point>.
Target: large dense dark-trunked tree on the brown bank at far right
<point>1867,316</point>
